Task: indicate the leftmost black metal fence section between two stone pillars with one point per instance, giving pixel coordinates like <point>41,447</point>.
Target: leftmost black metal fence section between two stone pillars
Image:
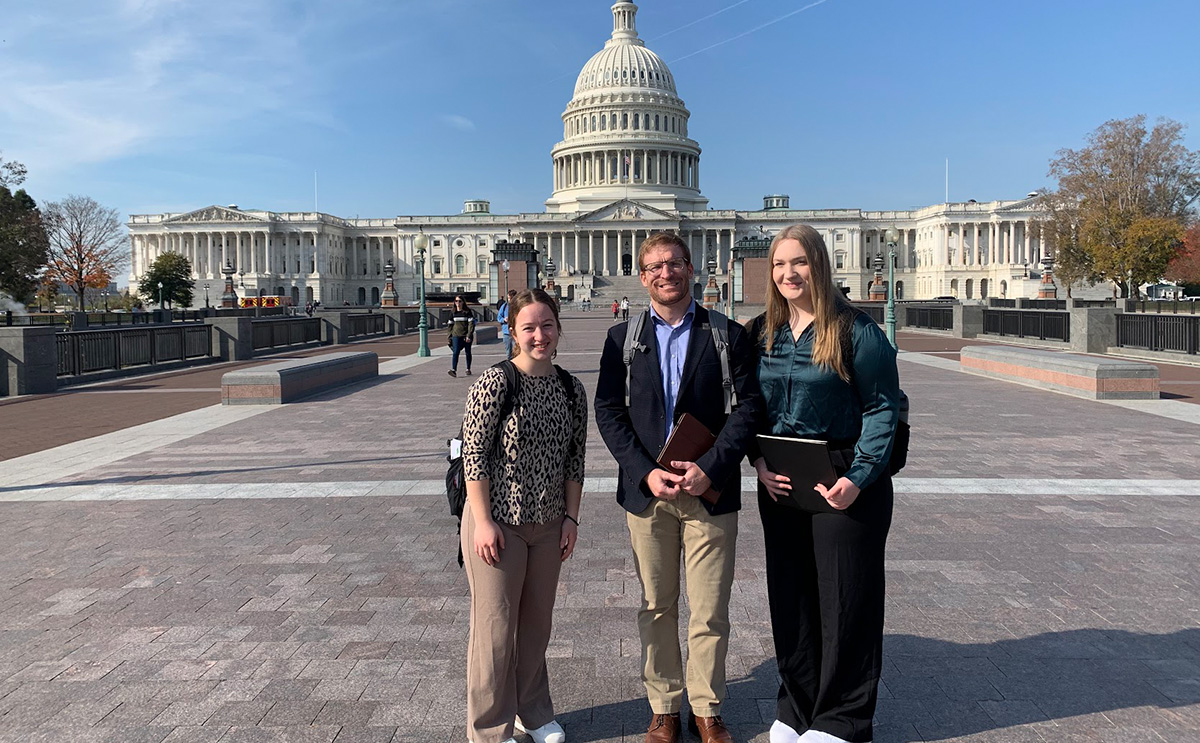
<point>82,352</point>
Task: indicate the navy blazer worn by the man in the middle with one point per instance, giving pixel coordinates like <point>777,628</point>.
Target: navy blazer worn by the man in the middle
<point>635,435</point>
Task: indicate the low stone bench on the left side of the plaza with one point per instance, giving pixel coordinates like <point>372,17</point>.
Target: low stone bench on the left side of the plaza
<point>296,379</point>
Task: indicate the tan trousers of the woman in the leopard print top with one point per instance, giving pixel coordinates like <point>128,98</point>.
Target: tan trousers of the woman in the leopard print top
<point>512,607</point>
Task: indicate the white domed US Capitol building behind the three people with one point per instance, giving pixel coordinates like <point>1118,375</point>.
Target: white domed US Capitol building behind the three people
<point>625,170</point>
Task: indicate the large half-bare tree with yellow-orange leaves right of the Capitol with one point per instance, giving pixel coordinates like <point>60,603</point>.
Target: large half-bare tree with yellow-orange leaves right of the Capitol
<point>1108,218</point>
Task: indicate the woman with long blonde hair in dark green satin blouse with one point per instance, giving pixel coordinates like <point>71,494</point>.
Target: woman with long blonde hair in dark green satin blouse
<point>827,373</point>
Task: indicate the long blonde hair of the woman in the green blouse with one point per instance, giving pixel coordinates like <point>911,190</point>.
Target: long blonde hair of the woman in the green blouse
<point>830,307</point>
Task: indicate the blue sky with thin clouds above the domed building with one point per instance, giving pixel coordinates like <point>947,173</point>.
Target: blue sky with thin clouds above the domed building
<point>406,107</point>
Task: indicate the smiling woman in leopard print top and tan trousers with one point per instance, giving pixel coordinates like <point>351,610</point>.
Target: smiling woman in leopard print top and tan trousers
<point>525,480</point>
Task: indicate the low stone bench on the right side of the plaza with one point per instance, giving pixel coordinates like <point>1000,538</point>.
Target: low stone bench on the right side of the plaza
<point>1064,373</point>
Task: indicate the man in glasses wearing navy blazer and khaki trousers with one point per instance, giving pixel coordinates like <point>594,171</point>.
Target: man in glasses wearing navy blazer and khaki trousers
<point>676,370</point>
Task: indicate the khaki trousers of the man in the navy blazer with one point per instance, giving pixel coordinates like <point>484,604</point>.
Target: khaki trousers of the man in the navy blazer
<point>659,535</point>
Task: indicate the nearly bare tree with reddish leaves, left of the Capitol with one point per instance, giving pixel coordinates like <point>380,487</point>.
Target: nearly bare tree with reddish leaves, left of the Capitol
<point>87,244</point>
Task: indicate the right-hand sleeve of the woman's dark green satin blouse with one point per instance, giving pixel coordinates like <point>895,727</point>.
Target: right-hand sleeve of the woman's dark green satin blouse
<point>878,385</point>
